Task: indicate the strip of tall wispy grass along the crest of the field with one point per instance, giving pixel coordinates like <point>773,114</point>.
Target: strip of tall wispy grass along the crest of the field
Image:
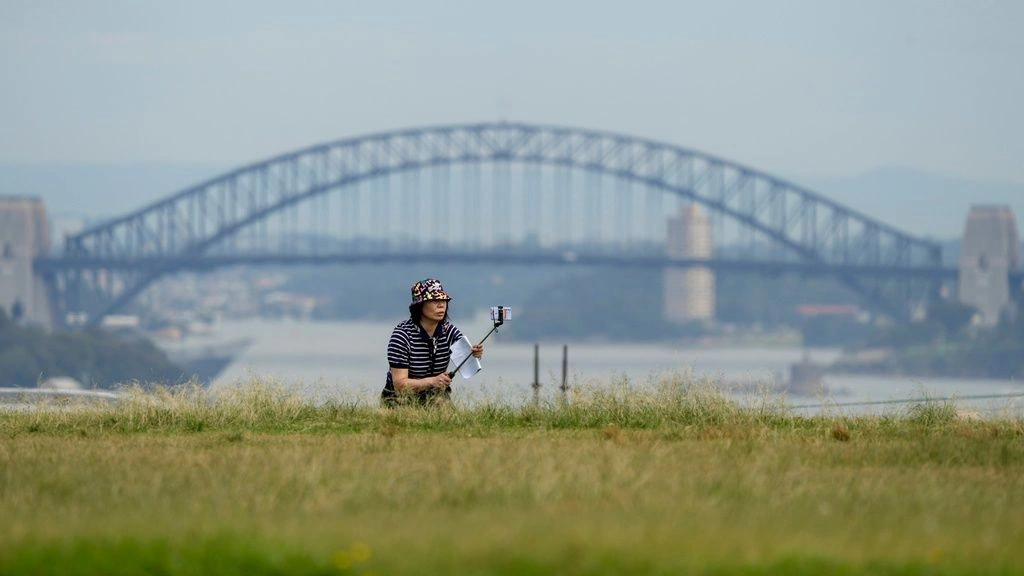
<point>673,404</point>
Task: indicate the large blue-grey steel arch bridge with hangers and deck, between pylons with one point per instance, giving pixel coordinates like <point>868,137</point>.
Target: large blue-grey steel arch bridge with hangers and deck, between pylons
<point>254,215</point>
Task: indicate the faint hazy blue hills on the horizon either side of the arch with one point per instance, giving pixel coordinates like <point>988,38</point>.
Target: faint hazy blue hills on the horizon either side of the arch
<point>920,203</point>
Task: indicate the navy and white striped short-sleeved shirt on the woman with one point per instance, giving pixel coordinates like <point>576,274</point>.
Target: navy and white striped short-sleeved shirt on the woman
<point>411,348</point>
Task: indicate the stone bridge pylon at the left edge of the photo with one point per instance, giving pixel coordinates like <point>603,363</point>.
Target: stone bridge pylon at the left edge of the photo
<point>24,236</point>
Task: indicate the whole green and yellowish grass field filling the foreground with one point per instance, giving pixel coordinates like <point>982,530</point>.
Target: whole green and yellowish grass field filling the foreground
<point>675,482</point>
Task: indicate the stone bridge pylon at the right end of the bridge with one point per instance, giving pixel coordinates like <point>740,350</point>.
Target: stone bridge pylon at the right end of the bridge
<point>991,251</point>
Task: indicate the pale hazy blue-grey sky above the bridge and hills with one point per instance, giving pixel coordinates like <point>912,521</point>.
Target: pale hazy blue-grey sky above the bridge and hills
<point>791,88</point>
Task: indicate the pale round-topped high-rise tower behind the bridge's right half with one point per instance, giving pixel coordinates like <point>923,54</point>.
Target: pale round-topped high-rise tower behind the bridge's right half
<point>690,293</point>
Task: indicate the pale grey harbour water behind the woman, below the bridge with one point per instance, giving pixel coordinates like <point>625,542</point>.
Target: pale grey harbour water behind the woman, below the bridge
<point>348,360</point>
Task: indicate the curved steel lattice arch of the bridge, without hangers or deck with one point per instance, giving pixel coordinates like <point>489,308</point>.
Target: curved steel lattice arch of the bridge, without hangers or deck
<point>163,237</point>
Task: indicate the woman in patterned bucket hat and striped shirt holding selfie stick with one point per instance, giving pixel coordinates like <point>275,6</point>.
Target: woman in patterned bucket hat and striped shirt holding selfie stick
<point>420,349</point>
